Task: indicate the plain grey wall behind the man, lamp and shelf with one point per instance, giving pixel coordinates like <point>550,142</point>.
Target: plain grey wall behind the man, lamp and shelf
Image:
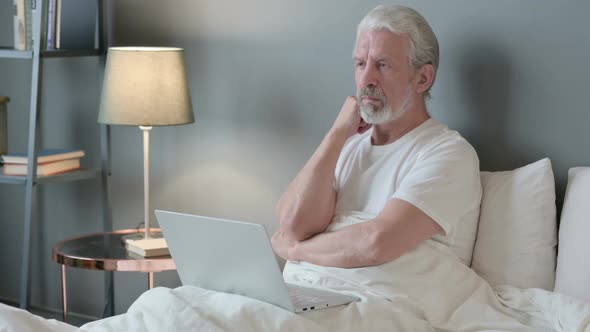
<point>267,80</point>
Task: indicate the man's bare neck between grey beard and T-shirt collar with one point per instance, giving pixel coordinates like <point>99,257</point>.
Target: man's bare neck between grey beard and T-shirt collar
<point>390,132</point>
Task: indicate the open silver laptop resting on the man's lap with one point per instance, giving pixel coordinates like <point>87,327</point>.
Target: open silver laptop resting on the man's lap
<point>236,257</point>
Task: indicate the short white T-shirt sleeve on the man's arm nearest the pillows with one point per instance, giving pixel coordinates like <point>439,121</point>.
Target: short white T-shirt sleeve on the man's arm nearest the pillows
<point>444,182</point>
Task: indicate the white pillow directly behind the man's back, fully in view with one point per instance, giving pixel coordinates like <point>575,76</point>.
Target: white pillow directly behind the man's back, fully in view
<point>516,238</point>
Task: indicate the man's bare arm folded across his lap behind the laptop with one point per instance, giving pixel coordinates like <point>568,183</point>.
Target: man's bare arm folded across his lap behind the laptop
<point>399,228</point>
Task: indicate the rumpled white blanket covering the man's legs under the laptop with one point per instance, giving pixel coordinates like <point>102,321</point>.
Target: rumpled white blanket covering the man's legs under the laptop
<point>424,290</point>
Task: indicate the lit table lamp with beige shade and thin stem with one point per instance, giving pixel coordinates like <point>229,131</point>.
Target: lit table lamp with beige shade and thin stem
<point>145,87</point>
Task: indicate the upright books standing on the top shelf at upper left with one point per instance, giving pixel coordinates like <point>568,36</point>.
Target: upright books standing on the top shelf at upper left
<point>67,24</point>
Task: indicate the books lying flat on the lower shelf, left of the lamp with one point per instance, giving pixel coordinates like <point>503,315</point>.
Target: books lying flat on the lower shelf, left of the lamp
<point>49,162</point>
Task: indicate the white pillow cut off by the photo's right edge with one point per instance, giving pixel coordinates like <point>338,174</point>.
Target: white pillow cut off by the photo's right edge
<point>573,264</point>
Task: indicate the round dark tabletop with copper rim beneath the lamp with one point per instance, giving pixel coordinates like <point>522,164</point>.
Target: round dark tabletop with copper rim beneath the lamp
<point>106,252</point>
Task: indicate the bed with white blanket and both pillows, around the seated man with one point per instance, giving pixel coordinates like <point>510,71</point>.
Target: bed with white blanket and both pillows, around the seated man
<point>512,284</point>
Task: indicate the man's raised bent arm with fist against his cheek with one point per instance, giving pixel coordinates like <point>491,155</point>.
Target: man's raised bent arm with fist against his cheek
<point>307,206</point>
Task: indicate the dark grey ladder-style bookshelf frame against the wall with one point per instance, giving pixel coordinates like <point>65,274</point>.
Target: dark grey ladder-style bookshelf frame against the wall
<point>31,181</point>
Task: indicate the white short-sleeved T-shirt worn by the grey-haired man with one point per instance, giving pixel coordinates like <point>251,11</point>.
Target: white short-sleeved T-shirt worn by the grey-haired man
<point>431,167</point>
